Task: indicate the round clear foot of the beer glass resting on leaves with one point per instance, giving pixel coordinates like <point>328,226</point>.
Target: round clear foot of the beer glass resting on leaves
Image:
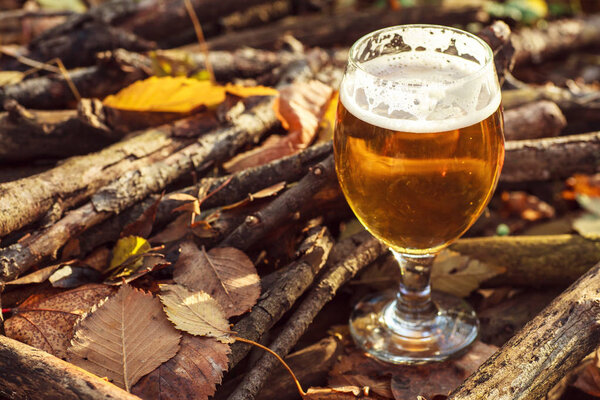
<point>378,330</point>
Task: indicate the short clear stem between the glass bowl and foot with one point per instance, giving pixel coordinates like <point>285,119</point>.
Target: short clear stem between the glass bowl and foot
<point>414,305</point>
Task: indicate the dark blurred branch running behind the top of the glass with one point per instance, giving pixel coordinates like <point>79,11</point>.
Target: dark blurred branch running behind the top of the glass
<point>342,28</point>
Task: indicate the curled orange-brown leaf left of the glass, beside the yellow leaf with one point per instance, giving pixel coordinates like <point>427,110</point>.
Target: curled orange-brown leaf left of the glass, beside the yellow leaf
<point>300,108</point>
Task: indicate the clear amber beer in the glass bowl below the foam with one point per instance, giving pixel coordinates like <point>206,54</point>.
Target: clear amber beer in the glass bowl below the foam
<point>417,191</point>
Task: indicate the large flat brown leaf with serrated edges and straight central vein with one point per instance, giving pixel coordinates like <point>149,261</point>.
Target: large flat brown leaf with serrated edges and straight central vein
<point>124,338</point>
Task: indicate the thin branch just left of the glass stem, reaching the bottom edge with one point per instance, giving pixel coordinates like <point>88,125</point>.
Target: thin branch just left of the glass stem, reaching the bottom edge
<point>297,324</point>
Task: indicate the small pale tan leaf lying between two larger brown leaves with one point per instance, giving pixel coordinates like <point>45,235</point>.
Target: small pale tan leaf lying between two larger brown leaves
<point>195,312</point>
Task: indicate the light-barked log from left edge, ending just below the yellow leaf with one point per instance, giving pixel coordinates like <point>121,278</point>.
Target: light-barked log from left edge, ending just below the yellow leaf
<point>77,178</point>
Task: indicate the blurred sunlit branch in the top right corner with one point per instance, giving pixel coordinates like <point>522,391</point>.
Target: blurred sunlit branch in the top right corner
<point>558,37</point>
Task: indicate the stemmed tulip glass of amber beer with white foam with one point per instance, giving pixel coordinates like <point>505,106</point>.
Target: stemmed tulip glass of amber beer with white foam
<point>418,148</point>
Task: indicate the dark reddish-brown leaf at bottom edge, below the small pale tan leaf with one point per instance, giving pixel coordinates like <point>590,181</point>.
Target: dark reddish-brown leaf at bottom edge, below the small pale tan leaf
<point>193,373</point>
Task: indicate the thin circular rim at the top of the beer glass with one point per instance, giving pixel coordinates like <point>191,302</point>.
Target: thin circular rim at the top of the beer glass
<point>476,74</point>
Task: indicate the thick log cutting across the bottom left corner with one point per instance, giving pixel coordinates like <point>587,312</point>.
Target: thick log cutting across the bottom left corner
<point>28,373</point>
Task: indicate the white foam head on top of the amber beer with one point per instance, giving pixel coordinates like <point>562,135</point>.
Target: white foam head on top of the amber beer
<point>423,90</point>
